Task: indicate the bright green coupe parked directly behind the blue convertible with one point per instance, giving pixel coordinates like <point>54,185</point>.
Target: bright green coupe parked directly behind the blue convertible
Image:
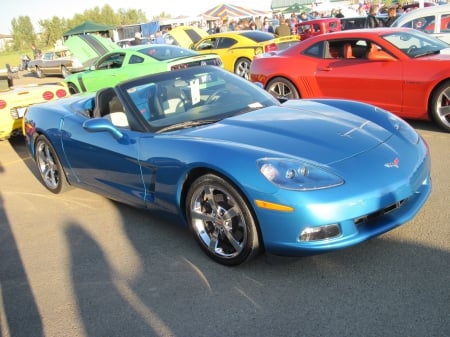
<point>126,63</point>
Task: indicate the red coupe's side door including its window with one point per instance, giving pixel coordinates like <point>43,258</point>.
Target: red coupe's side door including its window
<point>358,78</point>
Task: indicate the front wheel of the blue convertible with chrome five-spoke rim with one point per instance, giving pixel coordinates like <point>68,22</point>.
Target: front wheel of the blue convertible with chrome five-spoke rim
<point>221,221</point>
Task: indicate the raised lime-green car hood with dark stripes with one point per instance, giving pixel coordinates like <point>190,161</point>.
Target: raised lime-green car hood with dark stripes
<point>87,48</point>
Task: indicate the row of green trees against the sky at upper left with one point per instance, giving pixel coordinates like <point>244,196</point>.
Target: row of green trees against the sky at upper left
<point>51,30</point>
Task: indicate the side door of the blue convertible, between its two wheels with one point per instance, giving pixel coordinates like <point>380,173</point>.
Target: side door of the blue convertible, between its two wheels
<point>102,163</point>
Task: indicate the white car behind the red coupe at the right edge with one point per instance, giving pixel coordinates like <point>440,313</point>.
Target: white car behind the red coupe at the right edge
<point>433,20</point>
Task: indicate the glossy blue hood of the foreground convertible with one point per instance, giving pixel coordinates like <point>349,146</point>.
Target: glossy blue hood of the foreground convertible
<point>324,135</point>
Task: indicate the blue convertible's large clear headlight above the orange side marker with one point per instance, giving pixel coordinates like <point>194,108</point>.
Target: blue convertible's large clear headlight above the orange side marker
<point>297,175</point>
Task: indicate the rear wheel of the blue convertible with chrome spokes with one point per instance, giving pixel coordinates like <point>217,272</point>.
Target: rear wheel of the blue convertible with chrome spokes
<point>49,166</point>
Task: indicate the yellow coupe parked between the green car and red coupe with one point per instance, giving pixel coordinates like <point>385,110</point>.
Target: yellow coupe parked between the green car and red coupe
<point>238,48</point>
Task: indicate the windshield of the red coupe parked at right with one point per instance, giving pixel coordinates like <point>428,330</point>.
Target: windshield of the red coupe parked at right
<point>414,43</point>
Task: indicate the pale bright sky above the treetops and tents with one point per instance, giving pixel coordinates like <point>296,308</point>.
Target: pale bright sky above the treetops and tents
<point>47,9</point>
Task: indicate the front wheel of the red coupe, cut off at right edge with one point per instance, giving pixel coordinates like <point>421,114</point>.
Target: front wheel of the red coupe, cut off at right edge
<point>440,106</point>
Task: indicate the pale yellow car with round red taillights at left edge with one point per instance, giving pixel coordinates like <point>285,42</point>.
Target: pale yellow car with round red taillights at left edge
<point>15,101</point>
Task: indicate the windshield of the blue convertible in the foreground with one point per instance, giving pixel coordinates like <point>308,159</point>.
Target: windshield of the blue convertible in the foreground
<point>195,96</point>
